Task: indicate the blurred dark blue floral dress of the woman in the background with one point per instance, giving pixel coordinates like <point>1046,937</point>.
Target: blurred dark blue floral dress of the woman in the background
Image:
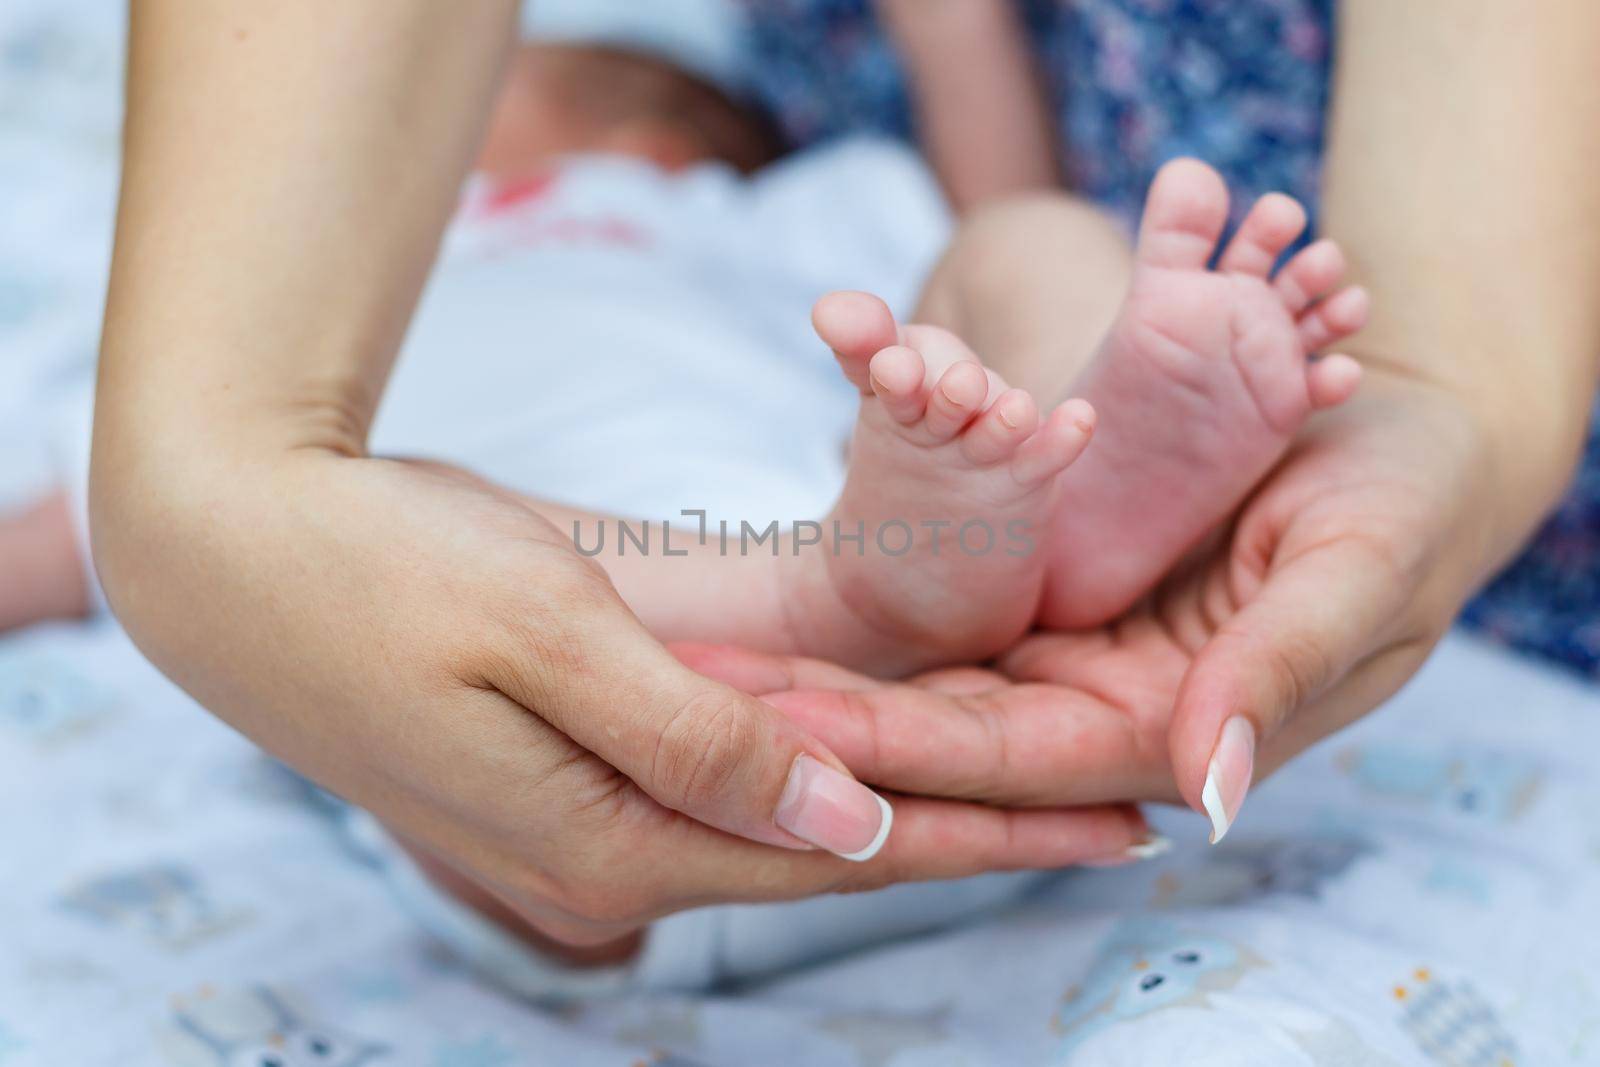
<point>1241,84</point>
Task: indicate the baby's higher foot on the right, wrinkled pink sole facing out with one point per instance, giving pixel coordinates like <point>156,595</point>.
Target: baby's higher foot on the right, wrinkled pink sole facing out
<point>1202,383</point>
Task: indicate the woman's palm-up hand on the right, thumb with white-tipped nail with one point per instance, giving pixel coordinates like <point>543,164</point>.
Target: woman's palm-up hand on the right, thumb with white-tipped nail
<point>1326,596</point>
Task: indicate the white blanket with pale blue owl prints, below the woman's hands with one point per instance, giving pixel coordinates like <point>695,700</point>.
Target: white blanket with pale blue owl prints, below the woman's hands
<point>1423,890</point>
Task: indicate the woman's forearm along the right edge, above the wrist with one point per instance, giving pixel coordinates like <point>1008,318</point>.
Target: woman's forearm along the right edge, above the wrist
<point>1460,182</point>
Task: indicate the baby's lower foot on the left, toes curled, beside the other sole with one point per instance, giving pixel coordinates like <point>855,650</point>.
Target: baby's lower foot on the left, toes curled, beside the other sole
<point>951,482</point>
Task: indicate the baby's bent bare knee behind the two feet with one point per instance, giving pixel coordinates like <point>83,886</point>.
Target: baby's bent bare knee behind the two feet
<point>1033,284</point>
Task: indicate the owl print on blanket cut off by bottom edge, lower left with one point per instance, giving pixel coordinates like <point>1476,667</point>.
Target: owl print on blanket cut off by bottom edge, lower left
<point>257,1028</point>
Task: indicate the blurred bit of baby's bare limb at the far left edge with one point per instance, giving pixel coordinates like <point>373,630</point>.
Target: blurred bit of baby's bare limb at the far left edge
<point>42,575</point>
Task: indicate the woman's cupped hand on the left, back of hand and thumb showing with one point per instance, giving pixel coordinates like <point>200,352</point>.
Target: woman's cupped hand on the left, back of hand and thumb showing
<point>431,649</point>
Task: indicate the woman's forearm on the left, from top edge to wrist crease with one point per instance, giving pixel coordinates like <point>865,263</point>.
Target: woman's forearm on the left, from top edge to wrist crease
<point>289,172</point>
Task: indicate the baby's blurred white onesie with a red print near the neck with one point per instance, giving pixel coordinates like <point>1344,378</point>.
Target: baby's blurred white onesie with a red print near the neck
<point>639,343</point>
